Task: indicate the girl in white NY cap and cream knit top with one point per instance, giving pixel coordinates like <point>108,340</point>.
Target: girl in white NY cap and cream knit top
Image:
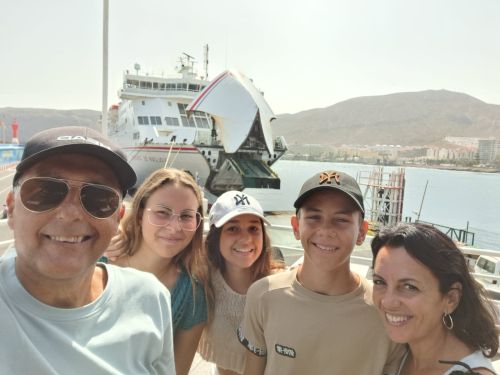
<point>239,253</point>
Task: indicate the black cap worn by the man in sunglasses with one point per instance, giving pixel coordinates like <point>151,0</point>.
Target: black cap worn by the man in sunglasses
<point>79,140</point>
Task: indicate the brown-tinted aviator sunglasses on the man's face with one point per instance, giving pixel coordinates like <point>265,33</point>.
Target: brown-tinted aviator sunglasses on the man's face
<point>41,194</point>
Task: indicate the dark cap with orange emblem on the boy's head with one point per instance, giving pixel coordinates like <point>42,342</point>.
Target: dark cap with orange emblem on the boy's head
<point>331,180</point>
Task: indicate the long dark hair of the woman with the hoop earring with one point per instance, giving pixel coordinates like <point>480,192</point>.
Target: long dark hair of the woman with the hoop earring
<point>474,317</point>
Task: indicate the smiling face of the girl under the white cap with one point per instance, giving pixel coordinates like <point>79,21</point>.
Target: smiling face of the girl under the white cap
<point>241,241</point>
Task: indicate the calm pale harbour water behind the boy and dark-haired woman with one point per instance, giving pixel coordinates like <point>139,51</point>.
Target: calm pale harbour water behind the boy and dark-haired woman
<point>458,199</point>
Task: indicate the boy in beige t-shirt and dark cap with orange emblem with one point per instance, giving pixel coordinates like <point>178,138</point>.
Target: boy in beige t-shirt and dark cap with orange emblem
<point>319,317</point>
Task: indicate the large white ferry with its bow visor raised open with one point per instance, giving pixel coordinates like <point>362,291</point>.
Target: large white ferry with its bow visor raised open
<point>219,130</point>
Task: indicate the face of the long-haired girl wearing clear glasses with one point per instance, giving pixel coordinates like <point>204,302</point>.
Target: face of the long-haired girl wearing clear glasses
<point>169,240</point>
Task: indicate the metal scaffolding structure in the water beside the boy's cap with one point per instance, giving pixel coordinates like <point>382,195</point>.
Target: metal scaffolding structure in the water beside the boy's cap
<point>383,194</point>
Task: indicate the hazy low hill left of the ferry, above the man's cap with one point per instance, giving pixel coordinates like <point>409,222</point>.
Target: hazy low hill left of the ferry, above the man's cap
<point>32,120</point>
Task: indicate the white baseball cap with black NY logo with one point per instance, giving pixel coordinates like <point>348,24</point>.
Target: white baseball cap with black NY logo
<point>231,204</point>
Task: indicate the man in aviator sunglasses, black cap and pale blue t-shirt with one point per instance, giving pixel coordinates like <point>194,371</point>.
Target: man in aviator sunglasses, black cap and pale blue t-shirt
<point>60,312</point>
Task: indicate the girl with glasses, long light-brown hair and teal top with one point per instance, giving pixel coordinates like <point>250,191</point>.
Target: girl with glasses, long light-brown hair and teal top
<point>162,234</point>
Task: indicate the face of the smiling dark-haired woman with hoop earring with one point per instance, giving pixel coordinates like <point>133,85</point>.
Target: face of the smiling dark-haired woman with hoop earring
<point>407,296</point>
